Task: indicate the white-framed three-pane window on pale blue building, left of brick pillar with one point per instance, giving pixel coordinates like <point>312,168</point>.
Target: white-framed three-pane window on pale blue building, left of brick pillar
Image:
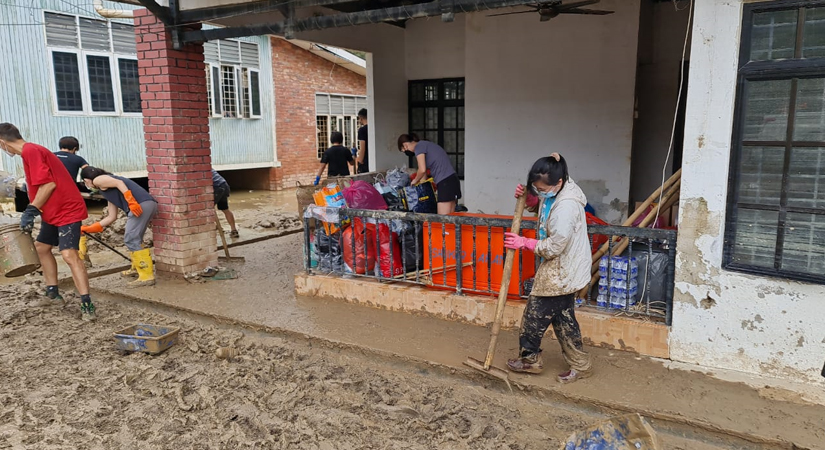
<point>94,65</point>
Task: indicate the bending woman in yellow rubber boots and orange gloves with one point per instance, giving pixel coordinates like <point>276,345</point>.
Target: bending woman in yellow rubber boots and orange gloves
<point>123,193</point>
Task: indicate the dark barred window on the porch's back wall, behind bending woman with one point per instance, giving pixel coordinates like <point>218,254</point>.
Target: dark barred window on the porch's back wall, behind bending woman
<point>436,113</point>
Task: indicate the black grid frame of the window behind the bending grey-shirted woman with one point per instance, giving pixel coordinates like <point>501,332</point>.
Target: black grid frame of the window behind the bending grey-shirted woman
<point>440,104</point>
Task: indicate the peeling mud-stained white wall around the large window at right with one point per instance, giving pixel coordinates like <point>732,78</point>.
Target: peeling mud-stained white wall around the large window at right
<point>724,319</point>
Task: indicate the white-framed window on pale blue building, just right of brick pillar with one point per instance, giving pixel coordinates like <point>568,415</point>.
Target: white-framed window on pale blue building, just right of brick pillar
<point>233,76</point>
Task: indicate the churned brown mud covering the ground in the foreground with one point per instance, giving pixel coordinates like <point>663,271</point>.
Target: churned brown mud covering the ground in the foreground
<point>65,386</point>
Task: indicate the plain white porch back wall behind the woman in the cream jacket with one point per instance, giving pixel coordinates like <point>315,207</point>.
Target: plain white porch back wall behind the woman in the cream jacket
<point>564,86</point>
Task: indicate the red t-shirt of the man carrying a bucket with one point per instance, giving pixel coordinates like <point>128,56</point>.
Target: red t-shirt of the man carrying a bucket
<point>65,206</point>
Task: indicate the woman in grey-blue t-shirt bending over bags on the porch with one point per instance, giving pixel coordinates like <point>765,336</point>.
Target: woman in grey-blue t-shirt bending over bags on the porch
<point>432,157</point>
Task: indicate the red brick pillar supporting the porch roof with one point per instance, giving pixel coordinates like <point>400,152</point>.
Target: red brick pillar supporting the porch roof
<point>176,130</point>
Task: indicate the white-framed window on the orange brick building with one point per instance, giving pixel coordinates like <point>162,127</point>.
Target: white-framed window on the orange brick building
<point>337,113</point>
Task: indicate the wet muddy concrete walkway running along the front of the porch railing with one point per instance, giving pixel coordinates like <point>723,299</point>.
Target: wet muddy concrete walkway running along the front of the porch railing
<point>680,400</point>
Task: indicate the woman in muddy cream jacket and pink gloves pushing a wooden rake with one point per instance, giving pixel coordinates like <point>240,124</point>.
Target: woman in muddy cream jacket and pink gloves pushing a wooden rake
<point>564,249</point>
